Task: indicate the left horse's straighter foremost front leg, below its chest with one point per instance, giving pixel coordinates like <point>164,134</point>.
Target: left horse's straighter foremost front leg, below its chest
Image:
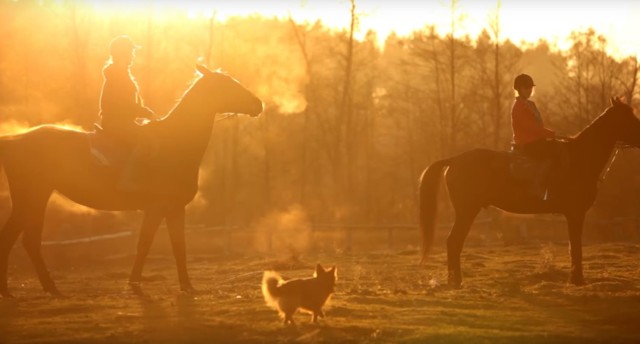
<point>175,224</point>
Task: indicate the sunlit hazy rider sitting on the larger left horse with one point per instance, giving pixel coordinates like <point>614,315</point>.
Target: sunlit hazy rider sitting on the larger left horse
<point>121,105</point>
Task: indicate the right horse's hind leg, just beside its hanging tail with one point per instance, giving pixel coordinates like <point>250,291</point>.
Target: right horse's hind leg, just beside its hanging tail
<point>455,241</point>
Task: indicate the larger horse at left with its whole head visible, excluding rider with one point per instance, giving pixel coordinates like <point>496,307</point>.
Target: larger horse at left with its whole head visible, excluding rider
<point>50,158</point>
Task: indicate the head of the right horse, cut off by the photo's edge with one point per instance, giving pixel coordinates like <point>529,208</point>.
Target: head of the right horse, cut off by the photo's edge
<point>625,126</point>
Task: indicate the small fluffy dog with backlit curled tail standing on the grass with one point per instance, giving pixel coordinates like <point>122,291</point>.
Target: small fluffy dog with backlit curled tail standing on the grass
<point>310,294</point>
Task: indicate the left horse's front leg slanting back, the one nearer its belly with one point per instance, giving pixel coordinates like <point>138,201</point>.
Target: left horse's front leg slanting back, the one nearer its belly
<point>150,224</point>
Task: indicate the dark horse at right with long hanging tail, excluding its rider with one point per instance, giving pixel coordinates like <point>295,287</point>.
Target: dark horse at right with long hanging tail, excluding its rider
<point>480,178</point>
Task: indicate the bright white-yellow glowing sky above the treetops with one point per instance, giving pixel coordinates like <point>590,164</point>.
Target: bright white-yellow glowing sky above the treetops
<point>519,22</point>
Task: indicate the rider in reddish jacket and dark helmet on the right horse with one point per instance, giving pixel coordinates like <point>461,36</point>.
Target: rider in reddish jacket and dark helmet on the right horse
<point>532,138</point>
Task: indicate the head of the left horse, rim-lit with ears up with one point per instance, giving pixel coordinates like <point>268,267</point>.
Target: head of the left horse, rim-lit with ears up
<point>227,94</point>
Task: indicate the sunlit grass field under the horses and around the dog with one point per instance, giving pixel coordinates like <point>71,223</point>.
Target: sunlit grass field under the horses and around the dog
<point>515,294</point>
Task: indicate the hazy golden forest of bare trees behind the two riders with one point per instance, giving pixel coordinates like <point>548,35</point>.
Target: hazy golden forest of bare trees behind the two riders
<point>348,125</point>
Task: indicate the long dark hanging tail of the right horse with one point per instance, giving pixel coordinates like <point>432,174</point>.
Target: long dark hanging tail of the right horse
<point>428,203</point>
